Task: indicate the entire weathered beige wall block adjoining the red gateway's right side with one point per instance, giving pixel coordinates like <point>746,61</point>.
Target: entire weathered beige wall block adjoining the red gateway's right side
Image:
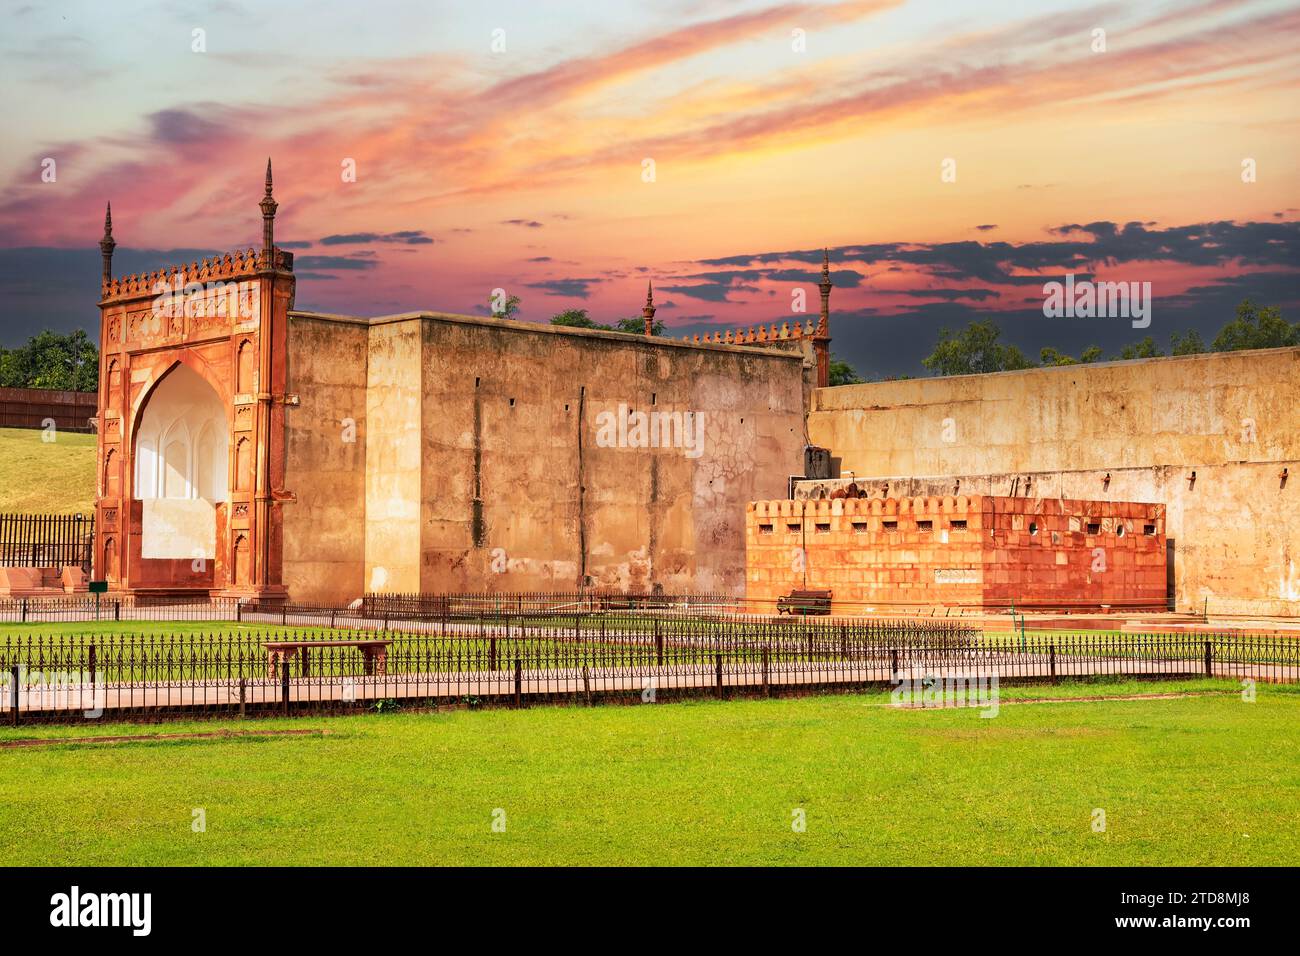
<point>482,464</point>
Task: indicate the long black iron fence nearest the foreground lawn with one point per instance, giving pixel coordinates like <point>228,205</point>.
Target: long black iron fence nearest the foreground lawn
<point>509,663</point>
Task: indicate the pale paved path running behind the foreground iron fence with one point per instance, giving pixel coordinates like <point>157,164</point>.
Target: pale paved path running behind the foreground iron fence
<point>571,682</point>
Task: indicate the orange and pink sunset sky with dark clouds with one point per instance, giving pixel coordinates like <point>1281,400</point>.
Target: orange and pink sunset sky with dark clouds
<point>775,129</point>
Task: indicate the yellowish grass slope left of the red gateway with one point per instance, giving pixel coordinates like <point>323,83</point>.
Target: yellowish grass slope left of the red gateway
<point>46,478</point>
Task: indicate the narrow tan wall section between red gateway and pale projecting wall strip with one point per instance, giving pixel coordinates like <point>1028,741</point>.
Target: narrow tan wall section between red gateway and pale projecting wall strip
<point>326,522</point>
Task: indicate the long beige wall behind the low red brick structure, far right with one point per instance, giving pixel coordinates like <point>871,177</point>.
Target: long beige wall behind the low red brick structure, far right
<point>1230,418</point>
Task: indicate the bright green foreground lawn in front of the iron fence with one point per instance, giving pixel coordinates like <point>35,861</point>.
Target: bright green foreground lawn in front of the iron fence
<point>1190,780</point>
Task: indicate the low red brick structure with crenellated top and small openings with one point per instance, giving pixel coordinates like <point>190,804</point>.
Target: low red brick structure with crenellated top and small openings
<point>886,555</point>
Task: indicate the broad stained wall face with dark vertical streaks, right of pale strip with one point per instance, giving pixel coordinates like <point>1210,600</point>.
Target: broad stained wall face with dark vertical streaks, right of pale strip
<point>521,491</point>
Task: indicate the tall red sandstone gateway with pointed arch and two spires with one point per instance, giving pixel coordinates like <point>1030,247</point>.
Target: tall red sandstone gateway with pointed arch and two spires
<point>192,436</point>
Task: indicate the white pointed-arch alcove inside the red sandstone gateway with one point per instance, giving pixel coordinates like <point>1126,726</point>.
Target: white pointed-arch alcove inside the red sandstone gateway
<point>181,466</point>
